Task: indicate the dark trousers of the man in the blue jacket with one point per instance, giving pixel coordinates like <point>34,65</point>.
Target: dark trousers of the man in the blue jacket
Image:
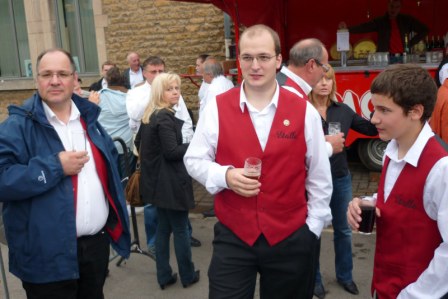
<point>93,259</point>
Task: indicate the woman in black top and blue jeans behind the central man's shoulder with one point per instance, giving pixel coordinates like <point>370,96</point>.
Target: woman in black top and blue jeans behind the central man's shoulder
<point>323,98</point>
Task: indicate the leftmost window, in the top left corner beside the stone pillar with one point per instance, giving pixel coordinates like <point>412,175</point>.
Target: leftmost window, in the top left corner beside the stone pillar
<point>15,54</point>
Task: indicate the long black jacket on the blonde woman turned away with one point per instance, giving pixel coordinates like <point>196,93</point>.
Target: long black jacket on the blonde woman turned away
<point>164,180</point>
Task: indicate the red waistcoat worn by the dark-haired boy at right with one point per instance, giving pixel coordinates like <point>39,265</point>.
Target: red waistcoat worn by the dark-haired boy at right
<point>406,236</point>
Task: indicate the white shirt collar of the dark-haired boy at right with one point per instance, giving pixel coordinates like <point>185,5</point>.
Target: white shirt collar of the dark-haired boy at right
<point>414,153</point>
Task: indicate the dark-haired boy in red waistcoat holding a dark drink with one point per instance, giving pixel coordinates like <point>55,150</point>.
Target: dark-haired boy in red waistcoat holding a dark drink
<point>411,256</point>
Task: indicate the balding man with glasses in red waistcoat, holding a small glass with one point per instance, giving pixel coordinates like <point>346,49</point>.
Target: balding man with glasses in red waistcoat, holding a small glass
<point>271,225</point>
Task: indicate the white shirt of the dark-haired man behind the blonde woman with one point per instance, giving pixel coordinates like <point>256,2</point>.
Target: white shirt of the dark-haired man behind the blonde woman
<point>137,100</point>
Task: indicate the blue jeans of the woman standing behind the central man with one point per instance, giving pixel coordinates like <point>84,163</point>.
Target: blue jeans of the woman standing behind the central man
<point>342,194</point>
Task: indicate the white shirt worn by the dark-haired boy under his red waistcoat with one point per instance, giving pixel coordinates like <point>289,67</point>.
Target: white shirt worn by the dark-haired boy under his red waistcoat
<point>433,282</point>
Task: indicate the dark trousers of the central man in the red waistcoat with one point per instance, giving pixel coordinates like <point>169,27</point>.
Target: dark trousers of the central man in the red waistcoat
<point>287,269</point>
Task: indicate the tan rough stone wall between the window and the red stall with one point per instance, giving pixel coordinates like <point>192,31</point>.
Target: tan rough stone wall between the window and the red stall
<point>176,31</point>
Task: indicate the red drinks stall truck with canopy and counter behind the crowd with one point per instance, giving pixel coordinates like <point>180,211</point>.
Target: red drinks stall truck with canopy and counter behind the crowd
<point>295,20</point>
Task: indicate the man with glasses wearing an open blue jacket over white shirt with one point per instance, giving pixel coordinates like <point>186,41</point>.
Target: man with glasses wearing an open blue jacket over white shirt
<point>62,205</point>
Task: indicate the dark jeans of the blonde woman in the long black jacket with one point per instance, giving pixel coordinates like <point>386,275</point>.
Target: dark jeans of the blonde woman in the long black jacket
<point>176,222</point>
